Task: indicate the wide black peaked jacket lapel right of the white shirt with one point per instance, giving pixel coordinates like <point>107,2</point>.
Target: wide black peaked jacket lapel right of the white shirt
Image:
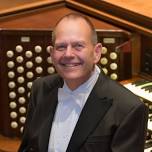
<point>93,112</point>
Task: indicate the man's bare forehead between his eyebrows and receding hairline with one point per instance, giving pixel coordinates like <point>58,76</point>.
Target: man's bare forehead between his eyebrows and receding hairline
<point>70,28</point>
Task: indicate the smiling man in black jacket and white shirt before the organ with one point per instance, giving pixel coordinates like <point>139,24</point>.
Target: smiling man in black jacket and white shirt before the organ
<point>80,109</point>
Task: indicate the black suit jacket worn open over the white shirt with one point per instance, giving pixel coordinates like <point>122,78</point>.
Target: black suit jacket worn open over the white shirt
<point>112,120</point>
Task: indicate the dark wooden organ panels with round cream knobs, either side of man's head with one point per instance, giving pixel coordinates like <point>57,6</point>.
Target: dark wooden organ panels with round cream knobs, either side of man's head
<point>24,57</point>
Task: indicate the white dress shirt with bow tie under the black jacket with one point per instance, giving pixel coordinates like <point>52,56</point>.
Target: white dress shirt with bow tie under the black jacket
<point>70,105</point>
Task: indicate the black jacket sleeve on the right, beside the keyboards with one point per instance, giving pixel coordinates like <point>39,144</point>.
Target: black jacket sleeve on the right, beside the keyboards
<point>130,135</point>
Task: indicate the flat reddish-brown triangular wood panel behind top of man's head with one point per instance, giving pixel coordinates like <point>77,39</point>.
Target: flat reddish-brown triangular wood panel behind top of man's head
<point>45,18</point>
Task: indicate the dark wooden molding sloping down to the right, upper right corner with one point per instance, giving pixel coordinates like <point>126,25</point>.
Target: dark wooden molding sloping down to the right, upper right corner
<point>114,14</point>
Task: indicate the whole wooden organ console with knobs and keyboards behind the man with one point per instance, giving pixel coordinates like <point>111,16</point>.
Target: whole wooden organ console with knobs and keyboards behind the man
<point>24,54</point>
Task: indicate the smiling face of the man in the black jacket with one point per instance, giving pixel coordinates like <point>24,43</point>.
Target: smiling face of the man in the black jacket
<point>74,54</point>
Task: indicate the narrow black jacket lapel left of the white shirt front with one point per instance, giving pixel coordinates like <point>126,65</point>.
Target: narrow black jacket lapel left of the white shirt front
<point>53,83</point>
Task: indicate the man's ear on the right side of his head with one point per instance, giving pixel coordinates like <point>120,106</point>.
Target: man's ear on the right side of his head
<point>97,52</point>
